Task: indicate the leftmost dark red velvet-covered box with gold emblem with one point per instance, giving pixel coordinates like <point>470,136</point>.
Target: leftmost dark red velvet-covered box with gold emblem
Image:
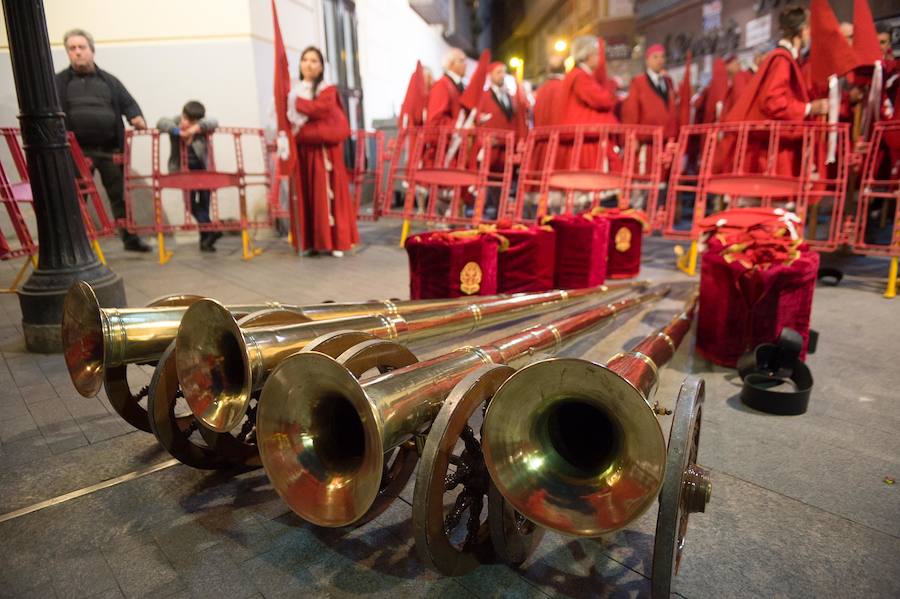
<point>443,264</point>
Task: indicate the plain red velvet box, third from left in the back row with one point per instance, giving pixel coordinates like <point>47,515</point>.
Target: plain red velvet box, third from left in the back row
<point>581,250</point>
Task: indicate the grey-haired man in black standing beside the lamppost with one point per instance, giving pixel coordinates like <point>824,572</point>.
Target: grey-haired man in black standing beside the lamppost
<point>95,102</point>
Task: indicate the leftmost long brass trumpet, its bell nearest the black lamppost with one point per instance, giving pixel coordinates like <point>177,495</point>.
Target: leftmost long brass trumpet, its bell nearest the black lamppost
<point>96,339</point>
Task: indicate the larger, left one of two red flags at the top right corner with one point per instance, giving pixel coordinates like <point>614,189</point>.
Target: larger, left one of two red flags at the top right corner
<point>829,52</point>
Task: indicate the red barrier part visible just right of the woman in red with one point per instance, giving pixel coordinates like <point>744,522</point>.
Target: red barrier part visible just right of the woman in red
<point>366,173</point>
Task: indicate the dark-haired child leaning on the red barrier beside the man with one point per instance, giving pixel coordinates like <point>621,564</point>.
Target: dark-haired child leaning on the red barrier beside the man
<point>192,127</point>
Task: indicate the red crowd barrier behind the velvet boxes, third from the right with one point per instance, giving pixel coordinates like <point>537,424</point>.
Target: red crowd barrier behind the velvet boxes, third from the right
<point>575,168</point>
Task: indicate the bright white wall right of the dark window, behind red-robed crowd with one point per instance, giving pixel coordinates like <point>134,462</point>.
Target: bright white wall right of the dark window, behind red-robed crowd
<point>392,37</point>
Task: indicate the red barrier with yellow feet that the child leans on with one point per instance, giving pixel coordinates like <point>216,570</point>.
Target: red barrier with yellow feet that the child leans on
<point>239,177</point>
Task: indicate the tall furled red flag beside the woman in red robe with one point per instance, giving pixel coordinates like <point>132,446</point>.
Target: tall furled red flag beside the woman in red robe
<point>286,159</point>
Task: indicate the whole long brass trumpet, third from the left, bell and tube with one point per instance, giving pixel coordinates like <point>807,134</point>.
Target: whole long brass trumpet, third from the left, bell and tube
<point>324,436</point>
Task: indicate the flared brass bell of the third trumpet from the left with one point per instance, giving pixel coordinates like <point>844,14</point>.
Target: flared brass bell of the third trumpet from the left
<point>320,439</point>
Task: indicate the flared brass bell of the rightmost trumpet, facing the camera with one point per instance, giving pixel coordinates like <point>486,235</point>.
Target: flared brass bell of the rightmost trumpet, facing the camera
<point>574,447</point>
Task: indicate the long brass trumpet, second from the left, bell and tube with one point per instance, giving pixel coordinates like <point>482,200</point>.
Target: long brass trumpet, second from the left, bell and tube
<point>219,364</point>
